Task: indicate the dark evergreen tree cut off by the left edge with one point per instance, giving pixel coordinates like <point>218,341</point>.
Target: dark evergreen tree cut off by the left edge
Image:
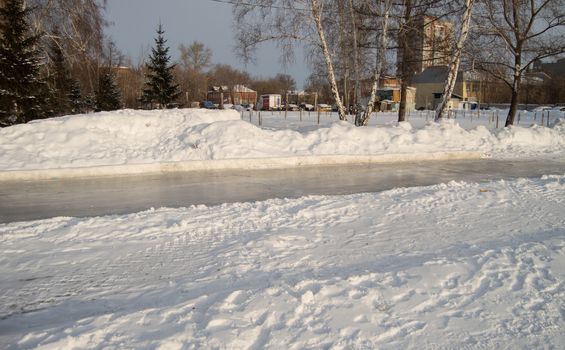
<point>23,94</point>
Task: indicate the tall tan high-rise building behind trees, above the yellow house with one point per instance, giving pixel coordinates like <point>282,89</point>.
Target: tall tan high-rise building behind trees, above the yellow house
<point>430,44</point>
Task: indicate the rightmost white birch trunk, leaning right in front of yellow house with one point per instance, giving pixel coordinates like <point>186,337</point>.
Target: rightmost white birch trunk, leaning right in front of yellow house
<point>455,61</point>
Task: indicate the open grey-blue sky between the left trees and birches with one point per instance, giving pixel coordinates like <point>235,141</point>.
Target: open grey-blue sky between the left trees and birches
<point>133,24</point>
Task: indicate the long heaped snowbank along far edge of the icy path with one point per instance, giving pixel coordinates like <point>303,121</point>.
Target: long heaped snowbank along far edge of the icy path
<point>136,137</point>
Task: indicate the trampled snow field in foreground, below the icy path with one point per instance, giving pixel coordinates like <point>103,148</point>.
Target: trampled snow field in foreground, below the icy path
<point>454,265</point>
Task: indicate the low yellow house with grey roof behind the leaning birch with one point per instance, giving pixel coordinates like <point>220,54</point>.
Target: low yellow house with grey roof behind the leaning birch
<point>429,88</point>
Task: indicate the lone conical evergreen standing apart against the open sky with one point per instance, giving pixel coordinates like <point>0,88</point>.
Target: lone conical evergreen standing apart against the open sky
<point>160,87</point>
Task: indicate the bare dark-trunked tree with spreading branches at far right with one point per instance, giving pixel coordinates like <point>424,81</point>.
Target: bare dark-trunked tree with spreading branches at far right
<point>515,34</point>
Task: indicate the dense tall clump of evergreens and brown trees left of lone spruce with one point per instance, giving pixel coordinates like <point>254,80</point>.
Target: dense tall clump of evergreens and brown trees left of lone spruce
<point>54,60</point>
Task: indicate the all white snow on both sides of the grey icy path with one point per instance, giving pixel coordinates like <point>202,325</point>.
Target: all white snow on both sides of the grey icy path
<point>456,265</point>
